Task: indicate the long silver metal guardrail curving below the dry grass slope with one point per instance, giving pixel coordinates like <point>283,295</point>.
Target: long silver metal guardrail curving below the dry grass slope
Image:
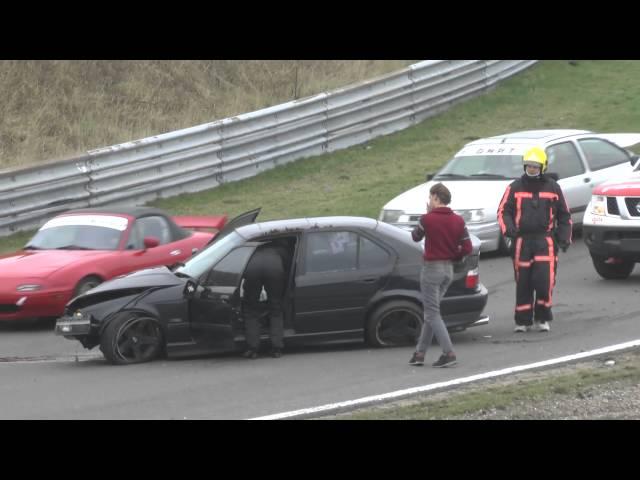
<point>205,156</point>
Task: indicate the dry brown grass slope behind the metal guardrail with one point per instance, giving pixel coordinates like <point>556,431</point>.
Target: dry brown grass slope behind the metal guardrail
<point>53,109</point>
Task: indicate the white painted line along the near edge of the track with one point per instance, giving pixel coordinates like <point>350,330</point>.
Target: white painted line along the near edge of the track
<point>459,381</point>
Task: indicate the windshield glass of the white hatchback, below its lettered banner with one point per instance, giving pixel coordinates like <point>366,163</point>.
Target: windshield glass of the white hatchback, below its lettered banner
<point>483,167</point>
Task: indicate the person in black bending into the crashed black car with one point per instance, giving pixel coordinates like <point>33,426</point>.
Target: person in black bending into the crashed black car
<point>266,268</point>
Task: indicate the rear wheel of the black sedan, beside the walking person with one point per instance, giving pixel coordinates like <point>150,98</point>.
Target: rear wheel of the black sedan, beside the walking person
<point>394,323</point>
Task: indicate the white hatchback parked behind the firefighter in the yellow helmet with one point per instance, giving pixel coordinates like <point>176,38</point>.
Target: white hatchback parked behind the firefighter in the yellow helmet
<point>478,175</point>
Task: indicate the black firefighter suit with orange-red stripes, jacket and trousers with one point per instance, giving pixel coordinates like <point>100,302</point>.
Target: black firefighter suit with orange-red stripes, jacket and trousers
<point>534,213</point>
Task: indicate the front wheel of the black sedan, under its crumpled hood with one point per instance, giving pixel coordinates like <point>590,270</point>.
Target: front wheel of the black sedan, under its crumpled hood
<point>132,338</point>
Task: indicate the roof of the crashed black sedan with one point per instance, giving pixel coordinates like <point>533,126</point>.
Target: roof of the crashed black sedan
<point>282,226</point>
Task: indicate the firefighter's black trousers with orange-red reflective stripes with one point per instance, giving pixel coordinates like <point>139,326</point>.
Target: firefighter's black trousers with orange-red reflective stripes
<point>535,263</point>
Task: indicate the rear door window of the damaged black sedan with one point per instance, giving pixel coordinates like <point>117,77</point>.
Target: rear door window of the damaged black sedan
<point>331,251</point>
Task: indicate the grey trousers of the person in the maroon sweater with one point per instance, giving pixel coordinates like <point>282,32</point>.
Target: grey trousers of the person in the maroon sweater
<point>435,278</point>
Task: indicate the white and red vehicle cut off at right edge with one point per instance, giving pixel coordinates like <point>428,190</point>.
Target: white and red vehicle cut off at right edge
<point>612,226</point>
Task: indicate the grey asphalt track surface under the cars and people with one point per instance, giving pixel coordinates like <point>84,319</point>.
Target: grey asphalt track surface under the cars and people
<point>48,377</point>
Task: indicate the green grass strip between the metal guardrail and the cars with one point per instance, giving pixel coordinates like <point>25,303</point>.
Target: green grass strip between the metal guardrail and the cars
<point>593,95</point>
